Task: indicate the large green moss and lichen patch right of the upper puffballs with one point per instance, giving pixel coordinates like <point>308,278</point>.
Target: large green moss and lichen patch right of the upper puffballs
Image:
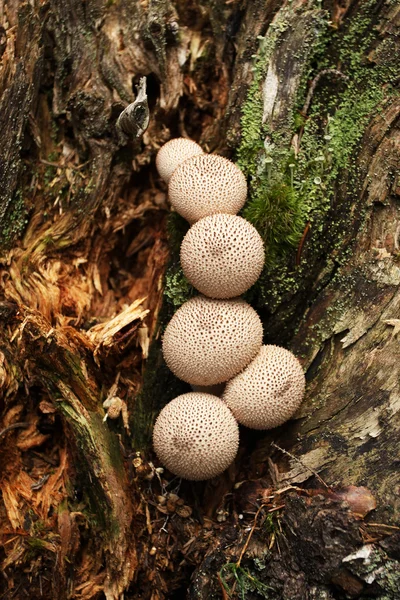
<point>290,193</point>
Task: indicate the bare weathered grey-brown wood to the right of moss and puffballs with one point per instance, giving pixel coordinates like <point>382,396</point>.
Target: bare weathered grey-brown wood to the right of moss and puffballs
<point>349,427</point>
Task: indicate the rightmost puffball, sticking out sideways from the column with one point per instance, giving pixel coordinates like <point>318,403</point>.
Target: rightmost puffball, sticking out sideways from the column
<point>269,391</point>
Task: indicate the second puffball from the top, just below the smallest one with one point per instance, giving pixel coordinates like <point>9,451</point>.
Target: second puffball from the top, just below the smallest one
<point>207,184</point>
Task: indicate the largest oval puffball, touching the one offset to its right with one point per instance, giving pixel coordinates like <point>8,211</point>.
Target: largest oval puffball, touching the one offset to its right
<point>210,341</point>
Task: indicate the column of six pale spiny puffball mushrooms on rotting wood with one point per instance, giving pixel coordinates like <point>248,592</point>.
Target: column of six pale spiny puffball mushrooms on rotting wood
<point>216,338</point>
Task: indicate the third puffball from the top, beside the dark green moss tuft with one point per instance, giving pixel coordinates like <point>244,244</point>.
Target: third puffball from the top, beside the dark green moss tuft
<point>222,255</point>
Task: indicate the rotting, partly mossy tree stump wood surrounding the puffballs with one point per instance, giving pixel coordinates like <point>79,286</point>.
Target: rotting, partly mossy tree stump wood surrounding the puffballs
<point>304,97</point>
